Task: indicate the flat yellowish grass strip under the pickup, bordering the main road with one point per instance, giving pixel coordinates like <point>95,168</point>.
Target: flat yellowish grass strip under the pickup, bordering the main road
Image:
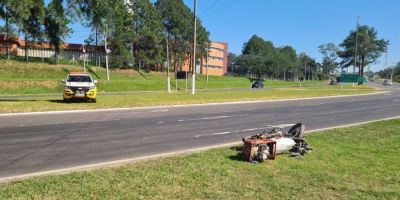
<point>21,104</point>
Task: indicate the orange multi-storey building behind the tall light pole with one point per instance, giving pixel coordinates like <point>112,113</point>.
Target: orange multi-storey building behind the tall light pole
<point>215,64</point>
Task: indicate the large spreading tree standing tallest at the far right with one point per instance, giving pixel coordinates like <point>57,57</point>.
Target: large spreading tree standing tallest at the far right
<point>369,48</point>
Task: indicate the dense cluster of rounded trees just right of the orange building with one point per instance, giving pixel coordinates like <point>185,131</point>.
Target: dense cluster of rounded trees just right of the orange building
<point>261,59</point>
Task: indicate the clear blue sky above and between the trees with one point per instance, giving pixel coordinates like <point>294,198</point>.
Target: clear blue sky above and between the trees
<point>302,24</point>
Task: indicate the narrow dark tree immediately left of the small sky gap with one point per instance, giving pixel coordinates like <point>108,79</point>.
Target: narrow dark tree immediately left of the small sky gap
<point>56,24</point>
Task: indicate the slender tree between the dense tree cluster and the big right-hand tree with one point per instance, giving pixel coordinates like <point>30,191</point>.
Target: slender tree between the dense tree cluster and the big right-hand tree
<point>329,62</point>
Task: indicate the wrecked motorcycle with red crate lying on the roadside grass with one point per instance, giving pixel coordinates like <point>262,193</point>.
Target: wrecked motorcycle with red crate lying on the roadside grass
<point>265,145</point>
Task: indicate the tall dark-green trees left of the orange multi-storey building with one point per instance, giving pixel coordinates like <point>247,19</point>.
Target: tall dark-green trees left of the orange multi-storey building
<point>136,31</point>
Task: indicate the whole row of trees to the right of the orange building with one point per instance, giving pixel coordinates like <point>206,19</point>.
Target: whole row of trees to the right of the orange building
<point>261,59</point>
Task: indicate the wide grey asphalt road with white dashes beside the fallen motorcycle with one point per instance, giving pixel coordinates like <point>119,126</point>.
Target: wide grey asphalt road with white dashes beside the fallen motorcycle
<point>32,143</point>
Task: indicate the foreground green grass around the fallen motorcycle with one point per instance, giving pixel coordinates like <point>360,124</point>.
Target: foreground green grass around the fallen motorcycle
<point>353,163</point>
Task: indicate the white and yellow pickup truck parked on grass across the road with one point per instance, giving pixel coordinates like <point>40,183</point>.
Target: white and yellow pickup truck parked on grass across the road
<point>79,86</point>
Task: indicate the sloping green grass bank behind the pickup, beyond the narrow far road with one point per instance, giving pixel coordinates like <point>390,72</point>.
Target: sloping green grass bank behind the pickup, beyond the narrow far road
<point>38,78</point>
